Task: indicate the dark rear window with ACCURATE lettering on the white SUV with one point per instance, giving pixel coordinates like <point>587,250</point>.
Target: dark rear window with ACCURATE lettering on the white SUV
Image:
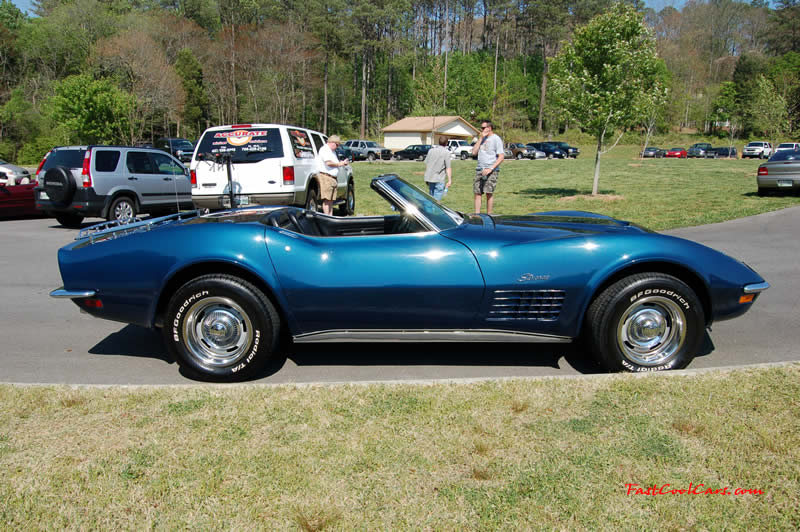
<point>245,145</point>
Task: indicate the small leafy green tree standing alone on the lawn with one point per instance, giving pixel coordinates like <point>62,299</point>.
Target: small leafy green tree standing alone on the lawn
<point>606,78</point>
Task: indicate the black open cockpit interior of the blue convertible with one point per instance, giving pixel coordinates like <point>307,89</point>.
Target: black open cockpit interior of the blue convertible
<point>314,224</point>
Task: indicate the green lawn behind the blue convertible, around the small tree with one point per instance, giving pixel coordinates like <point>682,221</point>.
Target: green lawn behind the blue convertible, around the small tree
<point>657,193</point>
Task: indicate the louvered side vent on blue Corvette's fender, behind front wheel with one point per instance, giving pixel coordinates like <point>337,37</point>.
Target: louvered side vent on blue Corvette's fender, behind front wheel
<point>539,305</point>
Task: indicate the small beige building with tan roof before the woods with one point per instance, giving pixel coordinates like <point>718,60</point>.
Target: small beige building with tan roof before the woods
<point>427,130</point>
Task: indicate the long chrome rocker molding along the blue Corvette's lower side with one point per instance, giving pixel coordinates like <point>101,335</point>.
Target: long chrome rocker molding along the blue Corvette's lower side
<point>437,335</point>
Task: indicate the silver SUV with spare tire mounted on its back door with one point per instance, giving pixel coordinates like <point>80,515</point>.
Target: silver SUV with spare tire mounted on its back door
<point>112,182</point>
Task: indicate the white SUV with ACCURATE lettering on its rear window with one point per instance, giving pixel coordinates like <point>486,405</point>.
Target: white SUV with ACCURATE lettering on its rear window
<point>271,164</point>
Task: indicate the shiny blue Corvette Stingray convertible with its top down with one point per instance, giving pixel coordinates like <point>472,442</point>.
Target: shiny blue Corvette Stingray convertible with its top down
<point>224,287</point>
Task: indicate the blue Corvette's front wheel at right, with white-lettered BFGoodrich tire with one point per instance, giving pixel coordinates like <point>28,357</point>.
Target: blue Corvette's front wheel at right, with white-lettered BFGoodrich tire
<point>646,322</point>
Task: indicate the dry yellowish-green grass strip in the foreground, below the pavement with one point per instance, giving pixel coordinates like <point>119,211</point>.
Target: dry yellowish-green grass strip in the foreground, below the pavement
<point>510,455</point>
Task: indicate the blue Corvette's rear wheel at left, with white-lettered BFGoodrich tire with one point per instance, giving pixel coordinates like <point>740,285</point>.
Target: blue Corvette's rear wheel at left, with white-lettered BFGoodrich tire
<point>221,328</point>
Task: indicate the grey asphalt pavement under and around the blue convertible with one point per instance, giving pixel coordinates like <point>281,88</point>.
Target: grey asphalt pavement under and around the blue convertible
<point>50,341</point>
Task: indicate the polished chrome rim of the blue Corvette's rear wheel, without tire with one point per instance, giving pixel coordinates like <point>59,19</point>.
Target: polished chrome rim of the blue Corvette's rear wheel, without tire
<point>218,332</point>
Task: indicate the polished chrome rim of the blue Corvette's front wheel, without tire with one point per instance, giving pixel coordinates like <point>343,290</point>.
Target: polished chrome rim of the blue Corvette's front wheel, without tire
<point>651,331</point>
